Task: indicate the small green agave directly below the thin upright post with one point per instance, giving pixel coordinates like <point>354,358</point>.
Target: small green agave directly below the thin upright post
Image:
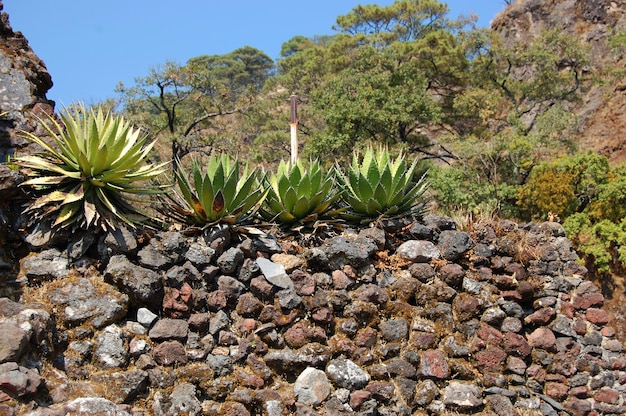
<point>299,195</point>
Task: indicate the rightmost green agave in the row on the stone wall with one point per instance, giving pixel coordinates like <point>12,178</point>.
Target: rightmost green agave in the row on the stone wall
<point>376,186</point>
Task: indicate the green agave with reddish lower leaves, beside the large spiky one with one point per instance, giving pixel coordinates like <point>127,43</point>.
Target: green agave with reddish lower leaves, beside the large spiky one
<point>221,194</point>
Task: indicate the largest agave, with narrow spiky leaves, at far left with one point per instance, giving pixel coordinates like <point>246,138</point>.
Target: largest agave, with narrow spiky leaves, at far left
<point>86,176</point>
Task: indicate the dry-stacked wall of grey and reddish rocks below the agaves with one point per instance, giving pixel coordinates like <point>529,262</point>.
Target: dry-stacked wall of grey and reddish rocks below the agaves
<point>496,320</point>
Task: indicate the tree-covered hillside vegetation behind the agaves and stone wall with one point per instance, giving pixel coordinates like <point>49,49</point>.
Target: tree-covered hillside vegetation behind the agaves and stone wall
<point>498,123</point>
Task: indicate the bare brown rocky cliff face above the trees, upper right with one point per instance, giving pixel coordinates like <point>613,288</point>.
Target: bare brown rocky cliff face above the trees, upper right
<point>602,111</point>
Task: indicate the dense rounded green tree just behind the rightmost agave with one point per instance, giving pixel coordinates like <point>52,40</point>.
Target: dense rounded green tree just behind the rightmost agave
<point>375,100</point>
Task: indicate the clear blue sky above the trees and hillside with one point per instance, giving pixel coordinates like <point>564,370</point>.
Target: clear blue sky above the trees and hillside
<point>89,46</point>
